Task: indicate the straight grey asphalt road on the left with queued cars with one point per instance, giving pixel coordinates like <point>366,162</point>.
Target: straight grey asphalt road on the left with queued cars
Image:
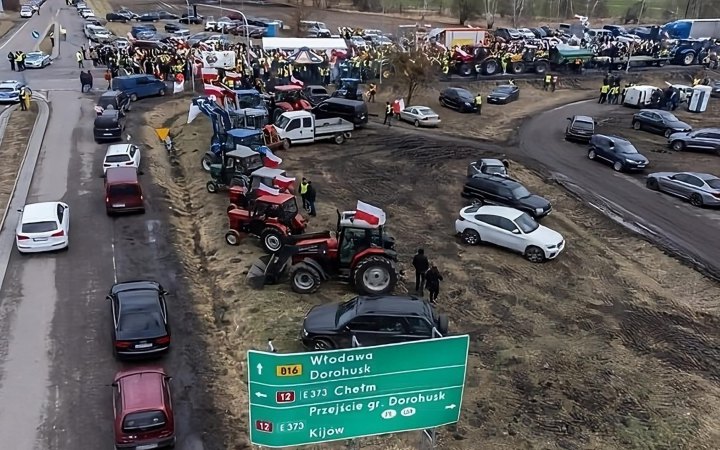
<point>55,353</point>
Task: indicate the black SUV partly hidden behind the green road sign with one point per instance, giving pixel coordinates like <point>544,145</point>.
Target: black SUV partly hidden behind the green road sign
<point>372,321</point>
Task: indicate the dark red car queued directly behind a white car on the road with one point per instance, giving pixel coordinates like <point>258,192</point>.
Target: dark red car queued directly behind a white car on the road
<point>123,193</point>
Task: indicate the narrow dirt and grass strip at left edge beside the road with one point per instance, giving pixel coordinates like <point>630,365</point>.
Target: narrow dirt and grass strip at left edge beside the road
<point>12,149</point>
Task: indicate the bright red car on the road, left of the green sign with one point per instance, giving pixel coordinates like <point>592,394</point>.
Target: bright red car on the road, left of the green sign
<point>143,409</point>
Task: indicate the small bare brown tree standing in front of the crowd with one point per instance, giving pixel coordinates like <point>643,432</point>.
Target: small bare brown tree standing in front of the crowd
<point>413,70</point>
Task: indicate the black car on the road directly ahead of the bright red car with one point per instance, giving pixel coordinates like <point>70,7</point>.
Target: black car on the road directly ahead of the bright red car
<point>140,319</point>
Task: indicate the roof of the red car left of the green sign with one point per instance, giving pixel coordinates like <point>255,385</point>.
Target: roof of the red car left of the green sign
<point>141,389</point>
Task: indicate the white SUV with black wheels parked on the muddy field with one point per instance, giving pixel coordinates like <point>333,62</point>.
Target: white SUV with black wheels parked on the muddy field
<point>509,228</point>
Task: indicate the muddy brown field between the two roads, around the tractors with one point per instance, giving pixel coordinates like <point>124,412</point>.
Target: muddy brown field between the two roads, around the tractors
<point>613,345</point>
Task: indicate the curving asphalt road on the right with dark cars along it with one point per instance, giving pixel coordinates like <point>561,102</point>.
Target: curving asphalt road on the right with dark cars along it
<point>681,229</point>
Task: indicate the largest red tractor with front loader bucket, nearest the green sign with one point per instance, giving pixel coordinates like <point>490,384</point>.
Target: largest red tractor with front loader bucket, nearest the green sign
<point>357,252</point>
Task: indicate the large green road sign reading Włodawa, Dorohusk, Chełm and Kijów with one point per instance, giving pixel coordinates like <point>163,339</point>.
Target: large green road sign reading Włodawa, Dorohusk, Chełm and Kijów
<point>307,398</point>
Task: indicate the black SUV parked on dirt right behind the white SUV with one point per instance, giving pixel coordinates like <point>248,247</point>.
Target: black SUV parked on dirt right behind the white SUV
<point>502,191</point>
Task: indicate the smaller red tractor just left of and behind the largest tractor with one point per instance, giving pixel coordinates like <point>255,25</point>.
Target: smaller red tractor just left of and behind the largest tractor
<point>269,217</point>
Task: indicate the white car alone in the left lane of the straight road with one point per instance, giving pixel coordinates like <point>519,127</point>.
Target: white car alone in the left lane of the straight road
<point>43,227</point>
